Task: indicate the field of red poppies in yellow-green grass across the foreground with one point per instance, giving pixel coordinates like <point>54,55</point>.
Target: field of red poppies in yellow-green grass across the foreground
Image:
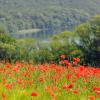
<point>63,81</point>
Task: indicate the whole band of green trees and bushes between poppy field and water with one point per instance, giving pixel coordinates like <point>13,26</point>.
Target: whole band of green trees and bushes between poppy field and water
<point>83,42</point>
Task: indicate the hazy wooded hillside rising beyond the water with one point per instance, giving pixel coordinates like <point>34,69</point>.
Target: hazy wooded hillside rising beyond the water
<point>18,15</point>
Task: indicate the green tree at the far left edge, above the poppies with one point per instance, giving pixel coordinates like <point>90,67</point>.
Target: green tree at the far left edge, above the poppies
<point>7,46</point>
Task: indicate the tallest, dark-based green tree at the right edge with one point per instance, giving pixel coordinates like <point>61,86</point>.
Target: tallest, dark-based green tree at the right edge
<point>89,43</point>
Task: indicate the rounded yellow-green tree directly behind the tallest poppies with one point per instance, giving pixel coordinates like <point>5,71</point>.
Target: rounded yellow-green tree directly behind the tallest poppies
<point>64,43</point>
